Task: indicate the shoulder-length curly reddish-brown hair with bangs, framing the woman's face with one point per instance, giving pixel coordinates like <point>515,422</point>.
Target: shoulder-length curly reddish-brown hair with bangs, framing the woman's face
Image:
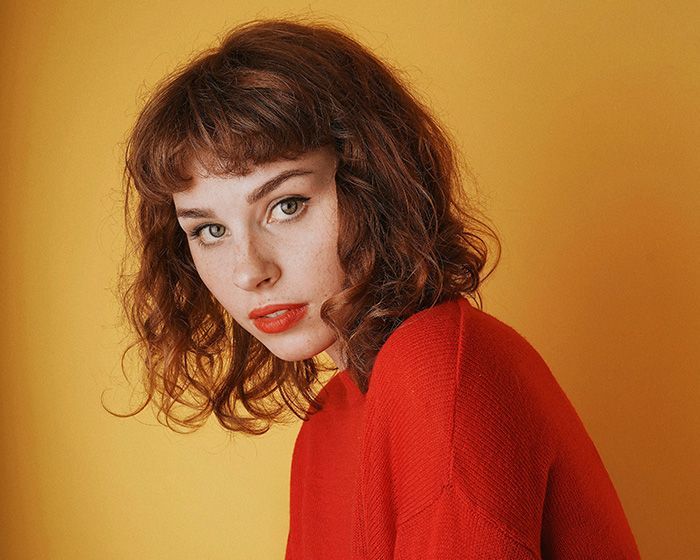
<point>408,238</point>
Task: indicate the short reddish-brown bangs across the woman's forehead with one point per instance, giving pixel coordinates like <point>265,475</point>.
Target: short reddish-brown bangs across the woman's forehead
<point>223,123</point>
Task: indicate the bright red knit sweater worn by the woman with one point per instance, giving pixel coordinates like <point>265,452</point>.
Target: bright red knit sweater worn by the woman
<point>465,446</point>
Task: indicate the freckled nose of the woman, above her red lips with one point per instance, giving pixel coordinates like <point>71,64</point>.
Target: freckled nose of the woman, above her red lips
<point>254,265</point>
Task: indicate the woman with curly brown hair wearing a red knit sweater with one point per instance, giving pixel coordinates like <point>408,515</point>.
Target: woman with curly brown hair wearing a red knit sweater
<point>293,197</point>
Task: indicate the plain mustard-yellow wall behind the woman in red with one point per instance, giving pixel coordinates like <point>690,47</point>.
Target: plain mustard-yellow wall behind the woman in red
<point>582,122</point>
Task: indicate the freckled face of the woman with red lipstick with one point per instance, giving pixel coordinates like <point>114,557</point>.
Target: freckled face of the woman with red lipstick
<point>265,244</point>
